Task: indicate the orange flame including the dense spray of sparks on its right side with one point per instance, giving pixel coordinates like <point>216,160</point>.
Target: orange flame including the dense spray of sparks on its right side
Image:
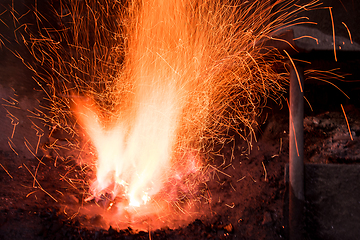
<point>177,65</point>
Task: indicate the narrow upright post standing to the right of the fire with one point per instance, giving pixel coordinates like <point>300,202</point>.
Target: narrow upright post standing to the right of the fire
<point>296,153</point>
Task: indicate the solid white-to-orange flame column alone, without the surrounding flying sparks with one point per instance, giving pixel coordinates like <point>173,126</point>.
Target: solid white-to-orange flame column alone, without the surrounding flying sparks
<point>136,145</point>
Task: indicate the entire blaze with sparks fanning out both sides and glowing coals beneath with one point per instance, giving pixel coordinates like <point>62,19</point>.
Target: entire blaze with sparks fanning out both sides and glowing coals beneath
<point>148,87</point>
